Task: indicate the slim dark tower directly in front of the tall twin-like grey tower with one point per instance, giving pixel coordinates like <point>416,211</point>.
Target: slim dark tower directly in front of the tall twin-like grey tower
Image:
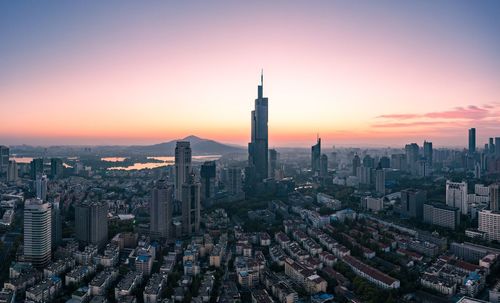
<point>191,207</point>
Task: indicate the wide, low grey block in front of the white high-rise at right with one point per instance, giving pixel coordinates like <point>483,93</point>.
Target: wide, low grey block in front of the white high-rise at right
<point>442,215</point>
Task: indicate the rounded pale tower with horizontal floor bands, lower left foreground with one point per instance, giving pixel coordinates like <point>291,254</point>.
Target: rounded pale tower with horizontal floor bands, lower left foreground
<point>37,232</point>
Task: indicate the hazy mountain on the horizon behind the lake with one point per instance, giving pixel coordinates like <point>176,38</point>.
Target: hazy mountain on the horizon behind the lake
<point>199,146</point>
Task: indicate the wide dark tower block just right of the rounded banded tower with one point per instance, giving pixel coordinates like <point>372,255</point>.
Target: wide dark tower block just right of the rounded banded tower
<point>91,220</point>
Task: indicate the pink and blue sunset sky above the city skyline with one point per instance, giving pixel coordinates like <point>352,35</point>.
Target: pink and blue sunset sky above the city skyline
<point>357,72</point>
